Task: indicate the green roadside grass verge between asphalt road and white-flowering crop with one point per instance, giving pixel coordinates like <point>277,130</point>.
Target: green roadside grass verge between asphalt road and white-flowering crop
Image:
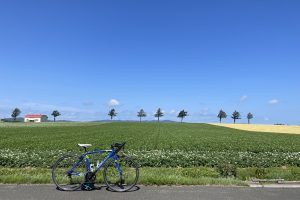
<point>162,176</point>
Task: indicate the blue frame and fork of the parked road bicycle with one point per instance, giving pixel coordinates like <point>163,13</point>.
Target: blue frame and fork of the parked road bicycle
<point>87,161</point>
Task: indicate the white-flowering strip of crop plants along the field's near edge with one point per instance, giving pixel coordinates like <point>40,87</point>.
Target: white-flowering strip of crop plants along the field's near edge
<point>161,158</point>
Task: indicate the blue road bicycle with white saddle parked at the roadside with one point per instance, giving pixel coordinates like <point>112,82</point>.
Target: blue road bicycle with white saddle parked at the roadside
<point>73,171</point>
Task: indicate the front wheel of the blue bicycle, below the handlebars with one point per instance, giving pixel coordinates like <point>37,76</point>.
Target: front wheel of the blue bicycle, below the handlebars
<point>121,175</point>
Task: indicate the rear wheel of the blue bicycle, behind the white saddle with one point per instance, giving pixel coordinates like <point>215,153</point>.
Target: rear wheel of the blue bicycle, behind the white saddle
<point>64,177</point>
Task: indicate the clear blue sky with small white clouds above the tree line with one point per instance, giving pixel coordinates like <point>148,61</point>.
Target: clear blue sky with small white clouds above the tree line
<point>85,57</point>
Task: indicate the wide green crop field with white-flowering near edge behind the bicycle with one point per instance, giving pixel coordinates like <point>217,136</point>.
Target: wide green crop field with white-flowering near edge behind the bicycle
<point>152,144</point>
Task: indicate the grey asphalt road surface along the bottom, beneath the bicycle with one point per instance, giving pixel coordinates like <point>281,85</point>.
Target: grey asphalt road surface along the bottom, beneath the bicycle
<point>40,192</point>
